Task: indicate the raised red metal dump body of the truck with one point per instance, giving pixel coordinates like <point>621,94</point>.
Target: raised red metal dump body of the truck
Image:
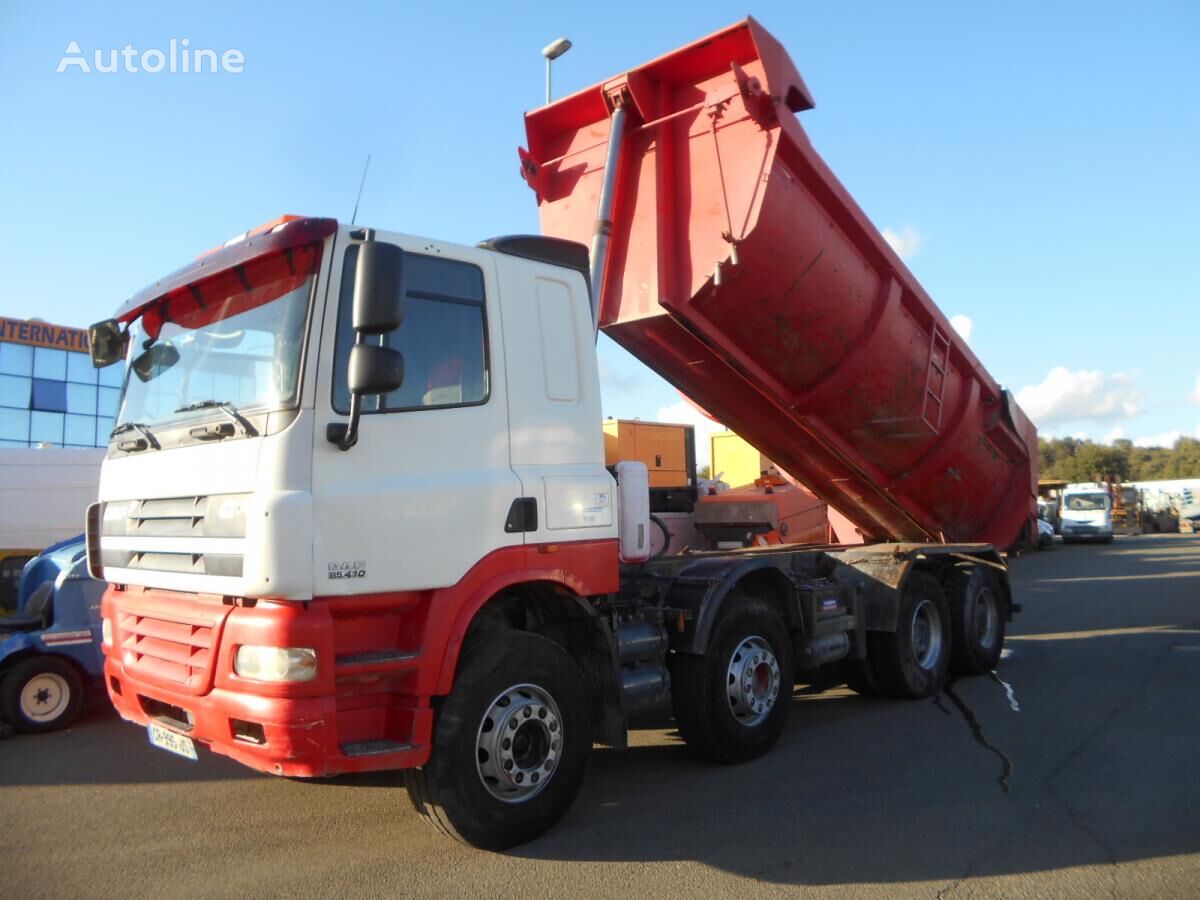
<point>742,272</point>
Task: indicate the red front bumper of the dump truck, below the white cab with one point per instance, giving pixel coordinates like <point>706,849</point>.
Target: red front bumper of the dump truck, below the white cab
<point>361,718</point>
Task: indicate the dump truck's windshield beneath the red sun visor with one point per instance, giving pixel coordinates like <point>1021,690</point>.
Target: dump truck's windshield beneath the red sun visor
<point>233,340</point>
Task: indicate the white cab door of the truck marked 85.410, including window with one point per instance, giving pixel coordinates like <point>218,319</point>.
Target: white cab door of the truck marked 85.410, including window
<point>427,491</point>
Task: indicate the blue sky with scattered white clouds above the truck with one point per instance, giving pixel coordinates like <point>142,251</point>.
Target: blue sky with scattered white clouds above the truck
<point>1037,164</point>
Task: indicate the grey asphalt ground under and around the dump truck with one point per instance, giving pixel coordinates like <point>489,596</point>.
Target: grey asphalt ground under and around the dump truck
<point>1093,789</point>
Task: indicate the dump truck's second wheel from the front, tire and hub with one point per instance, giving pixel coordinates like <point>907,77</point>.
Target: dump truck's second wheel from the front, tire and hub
<point>731,704</point>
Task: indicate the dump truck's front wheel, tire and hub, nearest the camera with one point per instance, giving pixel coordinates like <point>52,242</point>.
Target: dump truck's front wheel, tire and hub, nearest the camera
<point>511,745</point>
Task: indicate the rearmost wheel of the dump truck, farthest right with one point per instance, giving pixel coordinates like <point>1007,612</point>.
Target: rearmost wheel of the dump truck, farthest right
<point>977,620</point>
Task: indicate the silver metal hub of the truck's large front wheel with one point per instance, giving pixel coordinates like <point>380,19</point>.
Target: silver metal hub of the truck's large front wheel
<point>519,745</point>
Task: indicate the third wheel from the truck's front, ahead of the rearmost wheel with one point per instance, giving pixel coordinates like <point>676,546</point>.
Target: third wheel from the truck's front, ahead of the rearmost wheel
<point>911,662</point>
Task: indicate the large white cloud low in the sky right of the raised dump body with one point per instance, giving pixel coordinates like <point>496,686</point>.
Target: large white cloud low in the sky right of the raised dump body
<point>1067,397</point>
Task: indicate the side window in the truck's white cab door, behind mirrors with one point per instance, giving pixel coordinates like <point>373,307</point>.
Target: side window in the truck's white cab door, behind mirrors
<point>443,339</point>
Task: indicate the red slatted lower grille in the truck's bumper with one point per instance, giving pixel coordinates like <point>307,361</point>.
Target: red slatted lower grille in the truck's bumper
<point>169,652</point>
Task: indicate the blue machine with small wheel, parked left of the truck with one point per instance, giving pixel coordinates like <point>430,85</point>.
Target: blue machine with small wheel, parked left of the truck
<point>51,647</point>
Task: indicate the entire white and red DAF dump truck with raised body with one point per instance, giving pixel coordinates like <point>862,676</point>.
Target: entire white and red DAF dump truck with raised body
<point>356,513</point>
